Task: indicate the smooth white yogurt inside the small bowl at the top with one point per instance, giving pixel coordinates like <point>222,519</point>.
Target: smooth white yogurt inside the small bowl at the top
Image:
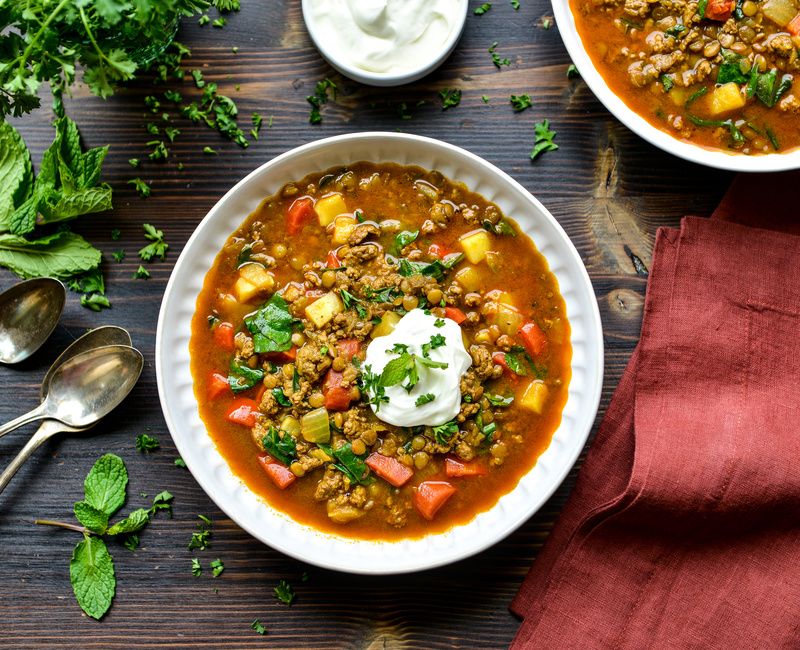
<point>385,36</point>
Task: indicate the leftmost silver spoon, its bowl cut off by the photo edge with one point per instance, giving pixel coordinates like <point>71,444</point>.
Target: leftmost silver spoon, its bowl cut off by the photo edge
<point>29,312</point>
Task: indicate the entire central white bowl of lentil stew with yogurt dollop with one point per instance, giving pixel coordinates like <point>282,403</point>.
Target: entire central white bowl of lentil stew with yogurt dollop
<point>378,353</point>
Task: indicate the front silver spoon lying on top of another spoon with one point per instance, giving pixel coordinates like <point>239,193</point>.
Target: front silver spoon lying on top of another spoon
<point>86,387</point>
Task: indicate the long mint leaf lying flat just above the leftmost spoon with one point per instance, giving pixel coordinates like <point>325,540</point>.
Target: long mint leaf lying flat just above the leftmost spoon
<point>58,255</point>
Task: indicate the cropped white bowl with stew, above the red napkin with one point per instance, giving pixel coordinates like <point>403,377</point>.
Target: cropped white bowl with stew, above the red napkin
<point>710,106</point>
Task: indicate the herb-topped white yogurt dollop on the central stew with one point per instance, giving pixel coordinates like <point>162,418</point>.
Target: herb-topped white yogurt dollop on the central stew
<point>415,330</point>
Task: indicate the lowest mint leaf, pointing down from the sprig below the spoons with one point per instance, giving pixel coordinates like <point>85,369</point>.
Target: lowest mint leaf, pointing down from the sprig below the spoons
<point>91,571</point>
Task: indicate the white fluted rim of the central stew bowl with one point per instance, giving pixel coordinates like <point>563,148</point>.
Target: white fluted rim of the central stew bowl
<point>277,529</point>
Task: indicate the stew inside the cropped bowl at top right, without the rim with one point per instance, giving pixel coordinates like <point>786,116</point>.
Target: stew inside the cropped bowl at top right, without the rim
<point>717,73</point>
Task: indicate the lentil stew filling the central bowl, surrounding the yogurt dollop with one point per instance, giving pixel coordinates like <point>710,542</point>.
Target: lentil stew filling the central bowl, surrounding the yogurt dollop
<point>297,295</point>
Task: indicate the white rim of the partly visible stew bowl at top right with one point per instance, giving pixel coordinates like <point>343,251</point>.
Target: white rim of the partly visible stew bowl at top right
<point>770,162</point>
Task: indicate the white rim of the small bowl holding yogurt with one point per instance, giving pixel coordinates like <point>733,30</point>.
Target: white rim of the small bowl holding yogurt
<point>460,9</point>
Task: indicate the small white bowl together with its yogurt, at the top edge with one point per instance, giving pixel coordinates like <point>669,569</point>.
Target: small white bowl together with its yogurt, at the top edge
<point>385,42</point>
